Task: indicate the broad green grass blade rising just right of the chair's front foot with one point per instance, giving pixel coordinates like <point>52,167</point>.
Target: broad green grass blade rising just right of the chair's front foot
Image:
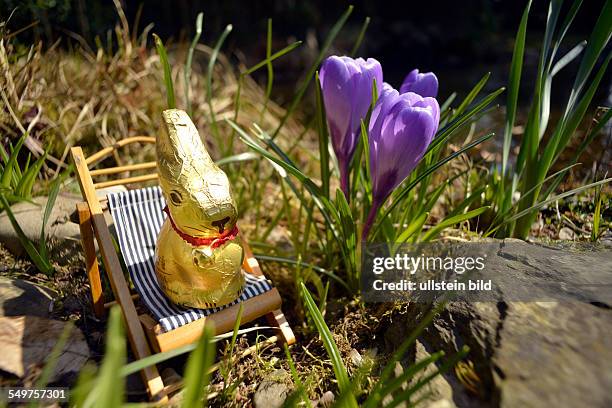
<point>328,341</point>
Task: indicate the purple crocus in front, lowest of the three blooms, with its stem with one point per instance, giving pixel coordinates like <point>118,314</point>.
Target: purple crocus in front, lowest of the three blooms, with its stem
<point>401,128</point>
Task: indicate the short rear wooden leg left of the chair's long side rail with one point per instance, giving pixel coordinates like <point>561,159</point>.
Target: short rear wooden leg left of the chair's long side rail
<point>91,260</point>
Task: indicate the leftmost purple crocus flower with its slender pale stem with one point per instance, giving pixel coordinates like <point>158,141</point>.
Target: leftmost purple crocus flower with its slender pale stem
<point>346,84</point>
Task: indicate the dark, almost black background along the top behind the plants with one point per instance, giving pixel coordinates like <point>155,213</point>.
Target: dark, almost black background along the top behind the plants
<point>459,40</point>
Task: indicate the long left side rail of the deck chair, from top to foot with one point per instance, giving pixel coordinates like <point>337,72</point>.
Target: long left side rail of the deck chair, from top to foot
<point>119,285</point>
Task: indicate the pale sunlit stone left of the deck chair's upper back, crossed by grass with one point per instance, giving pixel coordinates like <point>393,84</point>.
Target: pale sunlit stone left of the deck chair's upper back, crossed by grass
<point>29,216</point>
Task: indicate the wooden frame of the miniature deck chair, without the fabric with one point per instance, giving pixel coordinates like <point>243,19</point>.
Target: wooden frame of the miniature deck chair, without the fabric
<point>144,333</point>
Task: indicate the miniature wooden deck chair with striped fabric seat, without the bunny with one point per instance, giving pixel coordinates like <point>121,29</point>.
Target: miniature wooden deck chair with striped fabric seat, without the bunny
<point>137,214</point>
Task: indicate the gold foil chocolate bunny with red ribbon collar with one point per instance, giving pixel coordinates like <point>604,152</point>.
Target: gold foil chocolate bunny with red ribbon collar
<point>198,255</point>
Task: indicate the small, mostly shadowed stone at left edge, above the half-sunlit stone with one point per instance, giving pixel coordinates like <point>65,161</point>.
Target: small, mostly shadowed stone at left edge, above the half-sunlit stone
<point>19,297</point>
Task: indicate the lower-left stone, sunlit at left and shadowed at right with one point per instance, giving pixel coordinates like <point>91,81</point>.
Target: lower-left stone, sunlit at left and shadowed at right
<point>27,341</point>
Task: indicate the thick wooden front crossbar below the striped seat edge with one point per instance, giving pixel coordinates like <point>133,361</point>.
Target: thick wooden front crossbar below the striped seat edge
<point>223,321</point>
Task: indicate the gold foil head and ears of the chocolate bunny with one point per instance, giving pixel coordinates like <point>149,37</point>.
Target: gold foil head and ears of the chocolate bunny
<point>197,191</point>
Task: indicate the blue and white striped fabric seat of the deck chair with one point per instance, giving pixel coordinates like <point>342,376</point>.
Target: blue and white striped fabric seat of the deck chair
<point>138,217</point>
